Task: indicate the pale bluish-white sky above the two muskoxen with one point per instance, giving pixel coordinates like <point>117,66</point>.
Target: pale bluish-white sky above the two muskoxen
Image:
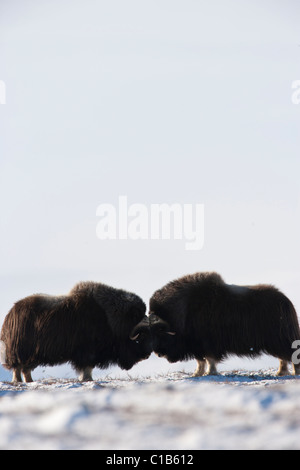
<point>162,101</point>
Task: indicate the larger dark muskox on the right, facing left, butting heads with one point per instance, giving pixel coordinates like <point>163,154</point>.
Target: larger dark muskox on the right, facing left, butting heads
<point>199,316</point>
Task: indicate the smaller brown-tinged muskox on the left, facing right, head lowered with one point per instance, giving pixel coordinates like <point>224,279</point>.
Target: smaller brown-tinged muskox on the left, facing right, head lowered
<point>95,325</point>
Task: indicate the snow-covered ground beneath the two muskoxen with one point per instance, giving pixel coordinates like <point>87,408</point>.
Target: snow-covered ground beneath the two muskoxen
<point>235,410</point>
